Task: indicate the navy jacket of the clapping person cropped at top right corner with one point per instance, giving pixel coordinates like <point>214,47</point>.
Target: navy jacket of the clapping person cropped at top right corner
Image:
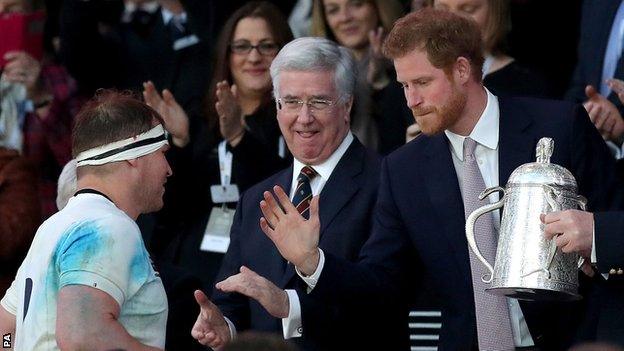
<point>596,22</point>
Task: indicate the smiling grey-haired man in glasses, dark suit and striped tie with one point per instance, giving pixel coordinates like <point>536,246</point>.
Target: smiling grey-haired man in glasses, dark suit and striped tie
<point>313,80</point>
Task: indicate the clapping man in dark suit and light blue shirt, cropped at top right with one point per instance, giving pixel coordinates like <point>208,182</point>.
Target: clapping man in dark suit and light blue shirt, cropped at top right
<point>600,59</point>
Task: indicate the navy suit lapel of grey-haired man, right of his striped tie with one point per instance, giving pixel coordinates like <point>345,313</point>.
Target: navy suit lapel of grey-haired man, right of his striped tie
<point>340,187</point>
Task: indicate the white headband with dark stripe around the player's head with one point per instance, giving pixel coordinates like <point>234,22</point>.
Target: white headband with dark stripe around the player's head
<point>122,150</point>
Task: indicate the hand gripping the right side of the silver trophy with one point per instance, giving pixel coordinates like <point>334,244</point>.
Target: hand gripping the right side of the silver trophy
<point>572,230</point>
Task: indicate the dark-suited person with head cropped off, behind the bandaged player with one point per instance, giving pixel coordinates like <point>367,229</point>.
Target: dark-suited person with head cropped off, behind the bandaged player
<point>122,44</point>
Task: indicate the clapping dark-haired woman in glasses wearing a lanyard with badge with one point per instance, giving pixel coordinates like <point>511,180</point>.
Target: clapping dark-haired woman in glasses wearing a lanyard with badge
<point>238,145</point>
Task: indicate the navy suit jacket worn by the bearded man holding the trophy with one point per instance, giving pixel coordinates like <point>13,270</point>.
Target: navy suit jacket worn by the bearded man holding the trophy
<point>419,221</point>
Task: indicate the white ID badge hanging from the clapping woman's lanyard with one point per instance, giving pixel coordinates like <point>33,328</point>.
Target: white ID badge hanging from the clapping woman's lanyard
<point>217,233</point>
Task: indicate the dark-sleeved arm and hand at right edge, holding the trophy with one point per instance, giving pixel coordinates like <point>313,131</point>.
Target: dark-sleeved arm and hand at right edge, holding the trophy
<point>599,237</point>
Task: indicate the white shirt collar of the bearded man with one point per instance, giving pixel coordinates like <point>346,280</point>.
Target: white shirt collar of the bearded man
<point>485,131</point>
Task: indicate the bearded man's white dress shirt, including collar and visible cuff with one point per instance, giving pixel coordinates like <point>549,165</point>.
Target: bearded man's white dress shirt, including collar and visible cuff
<point>485,133</point>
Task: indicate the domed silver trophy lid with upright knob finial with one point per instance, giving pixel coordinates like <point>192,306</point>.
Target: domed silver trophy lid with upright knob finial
<point>542,171</point>
